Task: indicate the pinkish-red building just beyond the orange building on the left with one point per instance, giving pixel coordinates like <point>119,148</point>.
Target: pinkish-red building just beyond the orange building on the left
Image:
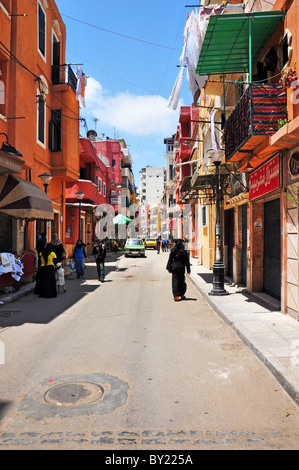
<point>99,183</point>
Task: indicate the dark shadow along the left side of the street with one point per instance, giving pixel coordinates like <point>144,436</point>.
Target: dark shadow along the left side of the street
<point>37,310</point>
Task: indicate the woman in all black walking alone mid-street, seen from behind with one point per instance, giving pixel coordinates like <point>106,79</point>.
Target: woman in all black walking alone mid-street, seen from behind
<point>178,263</point>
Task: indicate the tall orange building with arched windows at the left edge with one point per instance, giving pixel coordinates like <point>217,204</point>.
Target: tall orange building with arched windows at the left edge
<point>39,115</point>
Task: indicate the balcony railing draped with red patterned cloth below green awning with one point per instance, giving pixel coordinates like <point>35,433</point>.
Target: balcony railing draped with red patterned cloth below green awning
<point>257,113</point>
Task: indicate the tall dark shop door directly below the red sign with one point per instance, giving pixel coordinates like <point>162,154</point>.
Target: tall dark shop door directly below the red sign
<point>272,250</point>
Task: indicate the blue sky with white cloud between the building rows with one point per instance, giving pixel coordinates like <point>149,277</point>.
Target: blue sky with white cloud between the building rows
<point>130,80</point>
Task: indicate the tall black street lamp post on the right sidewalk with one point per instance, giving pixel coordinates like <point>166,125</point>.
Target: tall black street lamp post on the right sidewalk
<point>218,267</point>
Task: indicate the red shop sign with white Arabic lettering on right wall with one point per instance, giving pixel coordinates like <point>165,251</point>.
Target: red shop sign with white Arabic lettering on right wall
<point>265,179</point>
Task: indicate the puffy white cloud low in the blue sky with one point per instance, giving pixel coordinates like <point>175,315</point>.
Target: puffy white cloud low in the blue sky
<point>139,115</point>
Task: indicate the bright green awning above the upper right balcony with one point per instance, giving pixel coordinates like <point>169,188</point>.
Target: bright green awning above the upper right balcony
<point>233,42</point>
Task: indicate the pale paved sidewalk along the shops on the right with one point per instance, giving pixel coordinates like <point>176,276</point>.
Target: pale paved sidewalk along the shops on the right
<point>272,335</point>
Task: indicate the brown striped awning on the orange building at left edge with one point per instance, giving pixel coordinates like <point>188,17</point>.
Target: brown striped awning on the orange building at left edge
<point>24,200</point>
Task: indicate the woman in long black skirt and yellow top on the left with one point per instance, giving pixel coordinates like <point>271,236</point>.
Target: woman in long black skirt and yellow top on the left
<point>45,277</point>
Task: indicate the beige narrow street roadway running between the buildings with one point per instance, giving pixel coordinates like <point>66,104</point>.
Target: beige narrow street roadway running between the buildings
<point>120,365</point>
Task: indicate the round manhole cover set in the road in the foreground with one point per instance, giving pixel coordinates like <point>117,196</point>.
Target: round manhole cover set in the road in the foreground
<point>74,394</point>
